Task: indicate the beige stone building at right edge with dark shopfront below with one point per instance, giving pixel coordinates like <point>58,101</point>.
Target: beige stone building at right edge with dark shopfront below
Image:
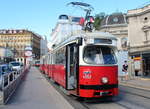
<point>139,38</point>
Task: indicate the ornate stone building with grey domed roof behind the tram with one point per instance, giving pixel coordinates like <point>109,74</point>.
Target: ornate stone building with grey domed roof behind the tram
<point>116,24</point>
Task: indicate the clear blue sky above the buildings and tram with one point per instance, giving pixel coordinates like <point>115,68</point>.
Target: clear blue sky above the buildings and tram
<point>40,16</point>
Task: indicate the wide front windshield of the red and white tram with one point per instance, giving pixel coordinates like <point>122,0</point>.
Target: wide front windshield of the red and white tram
<point>99,55</point>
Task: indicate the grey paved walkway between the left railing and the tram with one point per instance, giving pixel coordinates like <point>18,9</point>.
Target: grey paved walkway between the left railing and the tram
<point>36,93</point>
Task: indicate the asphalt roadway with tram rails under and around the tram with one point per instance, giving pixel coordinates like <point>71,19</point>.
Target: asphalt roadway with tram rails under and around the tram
<point>128,98</point>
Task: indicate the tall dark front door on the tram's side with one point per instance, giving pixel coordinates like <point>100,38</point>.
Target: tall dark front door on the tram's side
<point>72,66</point>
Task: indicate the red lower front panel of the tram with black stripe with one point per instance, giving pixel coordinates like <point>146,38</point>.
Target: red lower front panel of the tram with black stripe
<point>90,83</point>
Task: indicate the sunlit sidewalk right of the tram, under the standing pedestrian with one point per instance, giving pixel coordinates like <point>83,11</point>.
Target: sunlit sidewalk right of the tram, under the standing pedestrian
<point>136,82</point>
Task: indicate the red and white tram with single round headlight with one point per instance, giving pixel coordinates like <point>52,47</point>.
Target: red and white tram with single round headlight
<point>85,65</point>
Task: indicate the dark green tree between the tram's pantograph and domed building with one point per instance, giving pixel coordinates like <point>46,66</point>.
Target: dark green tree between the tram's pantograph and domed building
<point>98,19</point>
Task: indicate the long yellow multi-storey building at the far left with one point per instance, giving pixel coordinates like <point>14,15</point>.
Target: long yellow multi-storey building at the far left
<point>17,40</point>
